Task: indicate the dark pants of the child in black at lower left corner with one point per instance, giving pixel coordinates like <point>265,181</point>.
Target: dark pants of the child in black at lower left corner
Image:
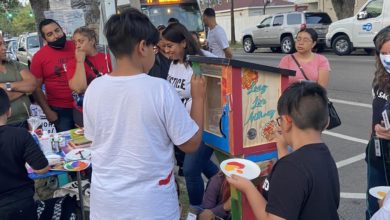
<point>19,210</point>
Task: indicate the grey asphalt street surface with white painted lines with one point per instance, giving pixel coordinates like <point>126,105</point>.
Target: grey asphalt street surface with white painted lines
<point>350,89</point>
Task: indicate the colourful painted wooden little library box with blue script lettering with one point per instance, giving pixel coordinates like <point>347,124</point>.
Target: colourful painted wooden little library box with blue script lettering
<point>240,115</point>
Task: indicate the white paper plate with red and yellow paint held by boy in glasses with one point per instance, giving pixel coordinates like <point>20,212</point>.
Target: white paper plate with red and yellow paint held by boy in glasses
<point>240,167</point>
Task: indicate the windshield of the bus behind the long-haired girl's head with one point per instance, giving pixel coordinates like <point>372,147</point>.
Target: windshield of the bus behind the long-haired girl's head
<point>187,14</point>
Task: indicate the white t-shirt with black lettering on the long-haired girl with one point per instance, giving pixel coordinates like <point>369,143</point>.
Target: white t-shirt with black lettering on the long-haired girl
<point>180,77</point>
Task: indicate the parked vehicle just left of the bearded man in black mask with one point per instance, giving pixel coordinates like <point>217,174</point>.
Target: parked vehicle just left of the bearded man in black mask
<point>28,45</point>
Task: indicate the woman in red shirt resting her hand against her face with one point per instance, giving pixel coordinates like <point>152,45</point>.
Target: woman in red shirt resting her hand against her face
<point>86,66</point>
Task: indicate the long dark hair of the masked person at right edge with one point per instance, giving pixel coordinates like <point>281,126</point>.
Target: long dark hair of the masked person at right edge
<point>381,78</point>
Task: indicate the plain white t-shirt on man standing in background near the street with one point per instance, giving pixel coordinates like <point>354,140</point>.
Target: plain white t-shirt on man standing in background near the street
<point>217,41</point>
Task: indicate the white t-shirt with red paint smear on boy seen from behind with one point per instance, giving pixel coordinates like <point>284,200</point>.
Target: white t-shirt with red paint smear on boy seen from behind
<point>132,122</point>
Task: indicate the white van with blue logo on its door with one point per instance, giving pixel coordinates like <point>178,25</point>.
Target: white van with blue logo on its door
<point>359,31</point>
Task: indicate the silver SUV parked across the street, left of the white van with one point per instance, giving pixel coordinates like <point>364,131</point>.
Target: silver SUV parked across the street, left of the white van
<point>279,30</point>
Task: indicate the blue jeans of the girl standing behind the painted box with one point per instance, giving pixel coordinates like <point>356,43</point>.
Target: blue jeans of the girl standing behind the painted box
<point>194,165</point>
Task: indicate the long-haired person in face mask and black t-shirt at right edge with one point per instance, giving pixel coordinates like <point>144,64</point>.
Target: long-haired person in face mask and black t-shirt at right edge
<point>378,148</point>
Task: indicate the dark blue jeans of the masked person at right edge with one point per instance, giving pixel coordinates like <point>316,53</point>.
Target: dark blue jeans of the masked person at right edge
<point>378,172</point>
